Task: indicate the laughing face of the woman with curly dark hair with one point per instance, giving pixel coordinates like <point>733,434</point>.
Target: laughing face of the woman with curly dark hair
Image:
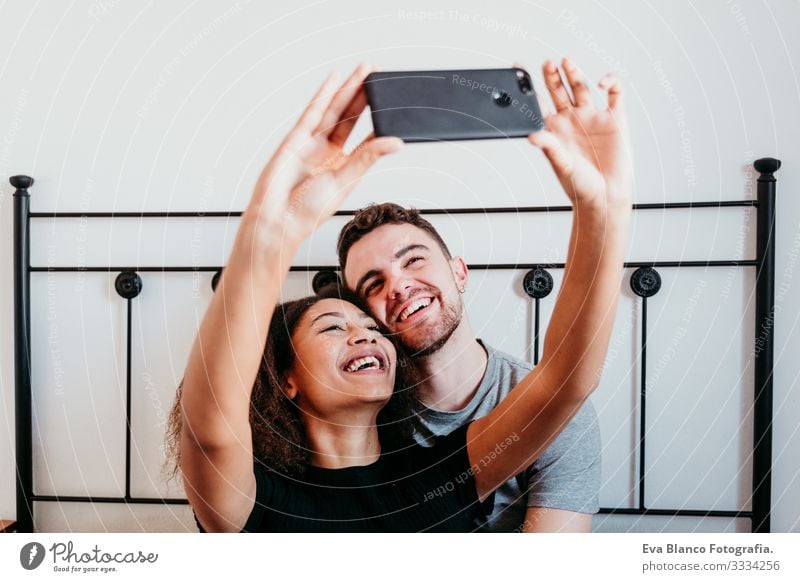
<point>342,360</point>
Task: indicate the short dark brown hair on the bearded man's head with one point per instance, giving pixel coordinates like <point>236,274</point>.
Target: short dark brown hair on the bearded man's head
<point>368,219</point>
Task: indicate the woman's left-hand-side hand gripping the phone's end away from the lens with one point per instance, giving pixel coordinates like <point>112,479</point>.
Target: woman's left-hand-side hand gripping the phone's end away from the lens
<point>310,174</point>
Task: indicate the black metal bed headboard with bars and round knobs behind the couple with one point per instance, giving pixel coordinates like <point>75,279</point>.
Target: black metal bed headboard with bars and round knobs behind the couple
<point>645,282</point>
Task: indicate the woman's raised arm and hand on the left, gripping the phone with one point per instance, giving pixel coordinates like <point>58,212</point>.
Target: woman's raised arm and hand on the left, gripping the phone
<point>303,184</point>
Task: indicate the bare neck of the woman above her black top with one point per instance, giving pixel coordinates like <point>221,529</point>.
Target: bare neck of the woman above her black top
<point>347,442</point>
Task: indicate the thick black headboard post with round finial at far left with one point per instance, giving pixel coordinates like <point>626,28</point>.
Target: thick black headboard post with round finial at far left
<point>22,352</point>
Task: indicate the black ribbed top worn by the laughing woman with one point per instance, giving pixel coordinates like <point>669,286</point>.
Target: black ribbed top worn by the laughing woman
<point>416,489</point>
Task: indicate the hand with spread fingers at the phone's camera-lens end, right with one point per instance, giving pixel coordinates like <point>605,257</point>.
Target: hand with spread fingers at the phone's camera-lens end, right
<point>589,148</point>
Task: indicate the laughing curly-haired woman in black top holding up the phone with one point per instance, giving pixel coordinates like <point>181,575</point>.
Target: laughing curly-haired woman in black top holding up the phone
<point>277,417</point>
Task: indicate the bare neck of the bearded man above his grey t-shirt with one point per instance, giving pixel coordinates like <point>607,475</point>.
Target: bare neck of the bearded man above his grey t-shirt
<point>453,373</point>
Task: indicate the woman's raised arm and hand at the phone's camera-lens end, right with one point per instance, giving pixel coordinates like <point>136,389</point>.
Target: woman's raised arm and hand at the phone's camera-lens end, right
<point>590,152</point>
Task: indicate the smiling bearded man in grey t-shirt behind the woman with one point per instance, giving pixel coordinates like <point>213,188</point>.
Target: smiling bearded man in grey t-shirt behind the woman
<point>394,259</point>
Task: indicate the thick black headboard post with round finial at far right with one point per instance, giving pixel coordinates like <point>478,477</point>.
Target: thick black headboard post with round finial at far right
<point>763,347</point>
